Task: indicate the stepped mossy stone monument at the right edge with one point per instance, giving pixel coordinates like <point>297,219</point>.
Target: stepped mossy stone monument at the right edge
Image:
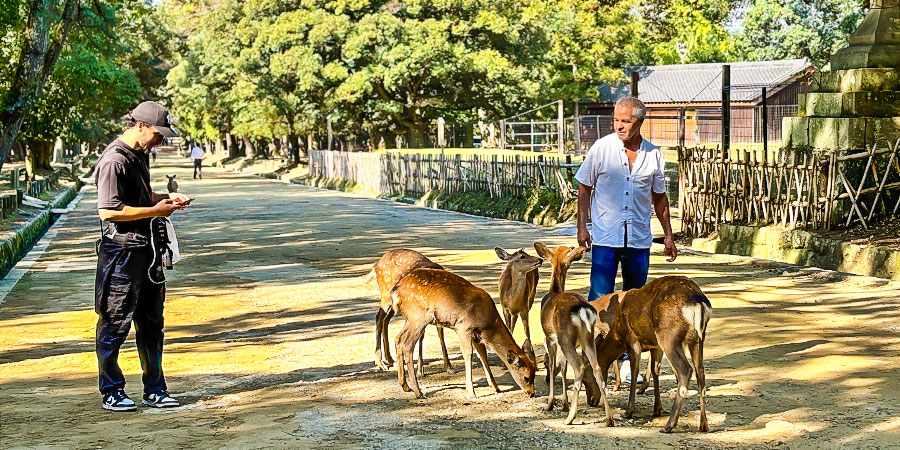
<point>856,103</point>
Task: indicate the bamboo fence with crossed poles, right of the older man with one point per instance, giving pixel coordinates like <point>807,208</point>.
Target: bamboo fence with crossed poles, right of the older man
<point>812,190</point>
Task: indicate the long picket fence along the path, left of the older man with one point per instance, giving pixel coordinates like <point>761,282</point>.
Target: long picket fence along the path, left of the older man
<point>414,175</point>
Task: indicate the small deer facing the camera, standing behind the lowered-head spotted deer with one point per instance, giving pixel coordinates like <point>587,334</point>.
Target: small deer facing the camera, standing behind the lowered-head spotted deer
<point>518,285</point>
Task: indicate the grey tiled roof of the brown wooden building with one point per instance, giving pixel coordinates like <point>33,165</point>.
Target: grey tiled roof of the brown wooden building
<point>686,83</point>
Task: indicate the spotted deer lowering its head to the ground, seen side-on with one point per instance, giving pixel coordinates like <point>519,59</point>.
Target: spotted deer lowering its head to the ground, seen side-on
<point>432,296</point>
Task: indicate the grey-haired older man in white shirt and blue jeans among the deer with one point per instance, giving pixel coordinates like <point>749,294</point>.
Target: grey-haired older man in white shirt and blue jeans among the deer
<point>625,174</point>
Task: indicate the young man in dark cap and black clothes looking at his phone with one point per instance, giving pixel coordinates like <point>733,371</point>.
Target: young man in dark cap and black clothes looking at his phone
<point>130,286</point>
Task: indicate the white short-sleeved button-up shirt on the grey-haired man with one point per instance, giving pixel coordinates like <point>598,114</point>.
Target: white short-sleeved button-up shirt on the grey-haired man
<point>622,201</point>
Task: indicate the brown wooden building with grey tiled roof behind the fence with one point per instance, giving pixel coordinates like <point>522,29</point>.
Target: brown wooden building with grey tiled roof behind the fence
<point>688,97</point>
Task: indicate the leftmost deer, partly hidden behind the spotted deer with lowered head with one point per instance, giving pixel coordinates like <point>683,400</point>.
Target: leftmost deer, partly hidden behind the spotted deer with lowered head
<point>390,268</point>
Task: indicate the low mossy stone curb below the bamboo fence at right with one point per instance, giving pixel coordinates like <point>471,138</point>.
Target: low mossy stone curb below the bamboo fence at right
<point>803,248</point>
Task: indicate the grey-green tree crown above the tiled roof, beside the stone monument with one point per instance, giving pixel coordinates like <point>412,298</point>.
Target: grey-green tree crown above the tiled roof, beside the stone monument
<point>783,29</point>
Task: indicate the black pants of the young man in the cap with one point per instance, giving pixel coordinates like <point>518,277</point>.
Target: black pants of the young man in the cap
<point>124,293</point>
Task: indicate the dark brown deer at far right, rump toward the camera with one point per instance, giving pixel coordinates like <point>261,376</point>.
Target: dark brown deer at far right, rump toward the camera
<point>667,315</point>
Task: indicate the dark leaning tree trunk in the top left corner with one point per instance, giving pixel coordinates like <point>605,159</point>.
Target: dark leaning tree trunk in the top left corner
<point>36,61</point>
